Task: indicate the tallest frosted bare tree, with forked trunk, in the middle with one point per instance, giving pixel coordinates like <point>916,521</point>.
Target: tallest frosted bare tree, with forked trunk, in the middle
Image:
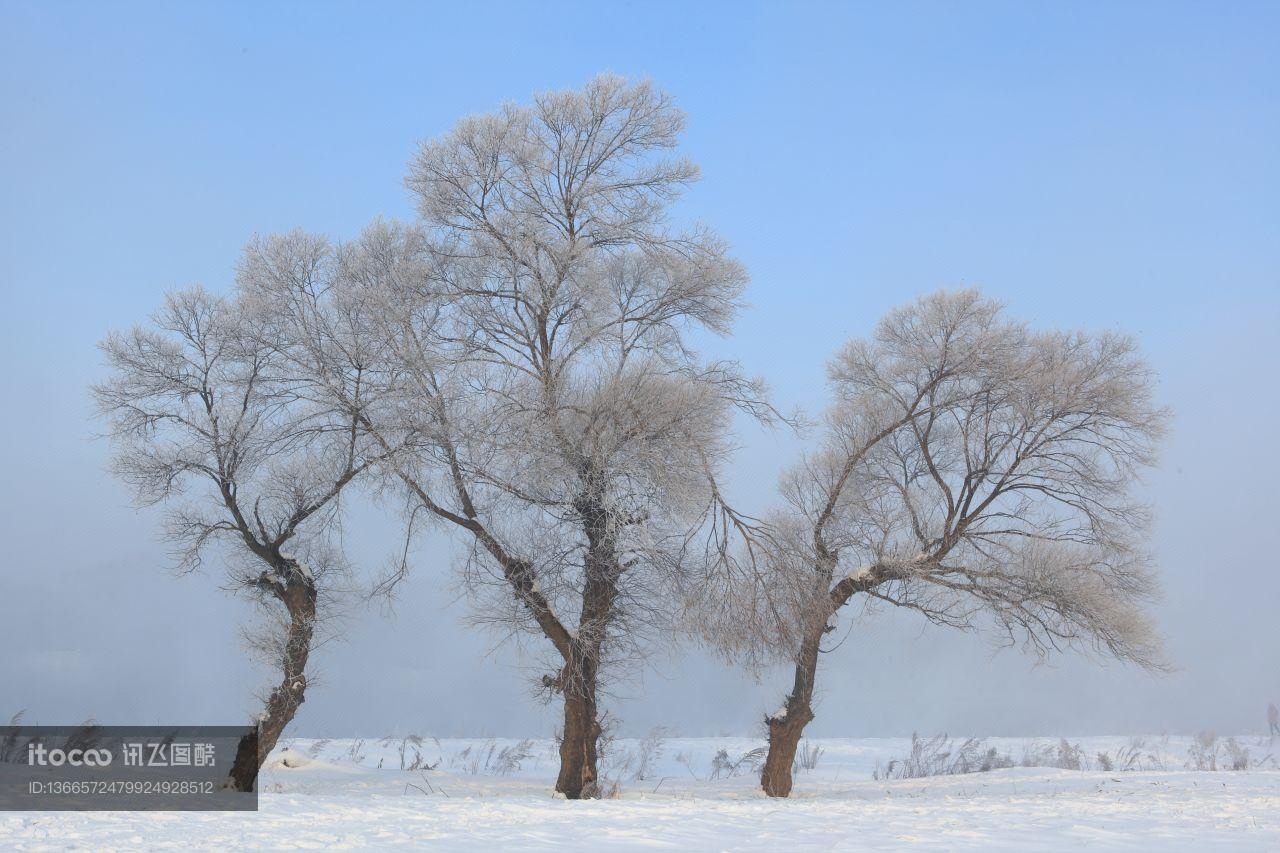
<point>540,394</point>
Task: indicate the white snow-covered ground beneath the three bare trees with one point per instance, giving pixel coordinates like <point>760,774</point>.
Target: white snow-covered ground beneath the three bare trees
<point>355,796</point>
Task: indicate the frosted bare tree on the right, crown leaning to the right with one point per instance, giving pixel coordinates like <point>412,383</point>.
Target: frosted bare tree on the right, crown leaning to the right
<point>970,469</point>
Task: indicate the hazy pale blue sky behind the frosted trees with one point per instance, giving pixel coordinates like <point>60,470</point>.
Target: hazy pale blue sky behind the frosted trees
<point>1092,165</point>
